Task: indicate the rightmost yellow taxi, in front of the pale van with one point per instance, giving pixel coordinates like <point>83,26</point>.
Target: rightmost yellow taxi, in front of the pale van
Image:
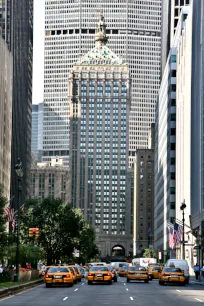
<point>172,275</point>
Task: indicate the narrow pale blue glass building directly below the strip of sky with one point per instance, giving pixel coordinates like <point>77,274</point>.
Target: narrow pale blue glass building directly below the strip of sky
<point>36,137</point>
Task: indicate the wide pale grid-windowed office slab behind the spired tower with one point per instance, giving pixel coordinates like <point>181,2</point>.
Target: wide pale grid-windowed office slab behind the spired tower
<point>134,29</point>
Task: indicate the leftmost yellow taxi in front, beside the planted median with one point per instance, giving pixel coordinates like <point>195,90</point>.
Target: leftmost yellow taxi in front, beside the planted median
<point>58,275</point>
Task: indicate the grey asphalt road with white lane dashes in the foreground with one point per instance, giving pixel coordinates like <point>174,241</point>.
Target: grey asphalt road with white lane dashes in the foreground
<point>117,294</point>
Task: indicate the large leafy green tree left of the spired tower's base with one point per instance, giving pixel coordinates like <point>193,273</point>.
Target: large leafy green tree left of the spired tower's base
<point>61,230</point>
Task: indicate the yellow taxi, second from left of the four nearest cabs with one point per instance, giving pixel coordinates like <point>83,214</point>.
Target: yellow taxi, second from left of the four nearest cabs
<point>99,274</point>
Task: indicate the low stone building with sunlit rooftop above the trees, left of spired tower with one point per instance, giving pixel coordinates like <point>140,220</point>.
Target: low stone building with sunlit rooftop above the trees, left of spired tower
<point>50,180</point>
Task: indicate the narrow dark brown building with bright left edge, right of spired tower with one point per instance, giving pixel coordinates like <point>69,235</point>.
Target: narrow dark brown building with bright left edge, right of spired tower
<point>143,212</point>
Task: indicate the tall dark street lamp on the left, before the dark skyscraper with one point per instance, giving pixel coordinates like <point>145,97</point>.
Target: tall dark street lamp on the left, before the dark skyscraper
<point>19,173</point>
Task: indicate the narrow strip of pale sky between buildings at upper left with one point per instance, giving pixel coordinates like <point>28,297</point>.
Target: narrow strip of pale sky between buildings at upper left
<point>38,51</point>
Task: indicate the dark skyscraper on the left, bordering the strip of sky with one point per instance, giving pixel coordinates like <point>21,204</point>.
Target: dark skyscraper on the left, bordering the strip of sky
<point>16,23</point>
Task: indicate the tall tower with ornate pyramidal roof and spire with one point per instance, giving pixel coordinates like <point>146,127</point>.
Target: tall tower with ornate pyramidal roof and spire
<point>99,98</point>
